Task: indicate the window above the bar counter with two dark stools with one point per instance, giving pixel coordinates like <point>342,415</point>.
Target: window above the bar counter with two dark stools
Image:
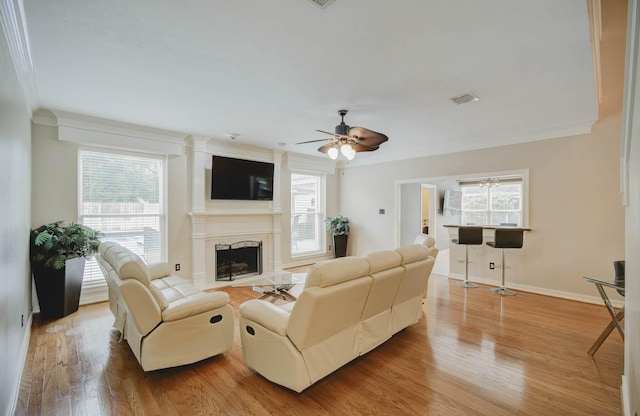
<point>492,202</point>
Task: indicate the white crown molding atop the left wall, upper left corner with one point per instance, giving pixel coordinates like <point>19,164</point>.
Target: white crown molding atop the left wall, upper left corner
<point>14,26</point>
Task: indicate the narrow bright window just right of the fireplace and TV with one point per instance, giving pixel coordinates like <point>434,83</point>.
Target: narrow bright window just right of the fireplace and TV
<point>307,227</point>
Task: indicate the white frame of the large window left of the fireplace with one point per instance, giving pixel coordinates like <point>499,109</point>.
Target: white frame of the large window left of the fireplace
<point>99,280</point>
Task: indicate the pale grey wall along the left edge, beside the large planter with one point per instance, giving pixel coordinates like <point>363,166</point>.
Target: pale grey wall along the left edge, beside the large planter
<point>15,272</point>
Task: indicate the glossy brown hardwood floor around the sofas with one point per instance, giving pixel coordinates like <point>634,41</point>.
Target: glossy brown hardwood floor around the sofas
<point>472,353</point>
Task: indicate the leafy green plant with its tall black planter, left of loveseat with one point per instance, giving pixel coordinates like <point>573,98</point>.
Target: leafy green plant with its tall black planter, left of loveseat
<point>58,254</point>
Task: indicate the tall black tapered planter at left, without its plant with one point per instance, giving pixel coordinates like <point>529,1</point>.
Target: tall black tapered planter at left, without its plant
<point>59,290</point>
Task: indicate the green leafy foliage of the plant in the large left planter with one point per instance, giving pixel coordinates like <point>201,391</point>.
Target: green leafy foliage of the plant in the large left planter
<point>52,244</point>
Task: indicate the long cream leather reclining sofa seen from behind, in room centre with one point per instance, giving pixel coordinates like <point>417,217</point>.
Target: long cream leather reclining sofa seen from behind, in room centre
<point>348,306</point>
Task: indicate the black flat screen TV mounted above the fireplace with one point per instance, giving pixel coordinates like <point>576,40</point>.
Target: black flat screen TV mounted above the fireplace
<point>241,180</point>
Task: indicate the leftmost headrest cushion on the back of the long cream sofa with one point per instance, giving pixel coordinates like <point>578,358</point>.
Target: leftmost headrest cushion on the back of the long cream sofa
<point>331,272</point>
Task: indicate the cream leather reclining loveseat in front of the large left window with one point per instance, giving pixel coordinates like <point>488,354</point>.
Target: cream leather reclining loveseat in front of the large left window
<point>164,318</point>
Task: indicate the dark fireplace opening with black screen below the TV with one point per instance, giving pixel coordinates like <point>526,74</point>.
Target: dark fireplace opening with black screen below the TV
<point>237,259</point>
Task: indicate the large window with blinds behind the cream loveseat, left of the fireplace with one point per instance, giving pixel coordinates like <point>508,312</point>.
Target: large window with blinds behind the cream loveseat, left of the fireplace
<point>123,196</point>
